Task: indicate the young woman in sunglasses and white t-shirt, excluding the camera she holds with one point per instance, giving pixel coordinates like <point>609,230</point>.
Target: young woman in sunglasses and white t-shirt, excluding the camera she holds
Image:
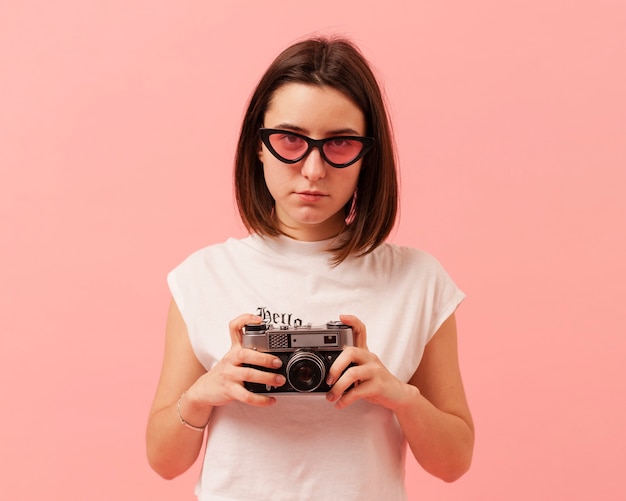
<point>316,185</point>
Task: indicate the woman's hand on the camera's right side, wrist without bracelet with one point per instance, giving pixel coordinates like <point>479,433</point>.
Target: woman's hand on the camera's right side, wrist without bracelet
<point>372,381</point>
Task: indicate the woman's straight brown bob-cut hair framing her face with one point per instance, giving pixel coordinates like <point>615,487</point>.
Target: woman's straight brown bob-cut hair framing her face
<point>337,63</point>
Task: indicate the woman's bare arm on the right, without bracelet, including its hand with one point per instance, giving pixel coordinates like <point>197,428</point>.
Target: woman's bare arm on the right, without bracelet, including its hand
<point>435,418</point>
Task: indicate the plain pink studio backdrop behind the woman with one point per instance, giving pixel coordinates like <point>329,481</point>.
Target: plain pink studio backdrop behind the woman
<point>117,128</point>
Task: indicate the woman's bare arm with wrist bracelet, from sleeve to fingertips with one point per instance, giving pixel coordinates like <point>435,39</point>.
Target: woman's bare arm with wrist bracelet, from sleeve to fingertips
<point>172,447</point>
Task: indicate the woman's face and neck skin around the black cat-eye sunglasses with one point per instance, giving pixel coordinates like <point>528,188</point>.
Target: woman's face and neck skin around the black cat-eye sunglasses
<point>310,194</point>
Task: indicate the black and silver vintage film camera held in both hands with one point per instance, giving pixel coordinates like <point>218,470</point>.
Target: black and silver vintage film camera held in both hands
<point>307,353</point>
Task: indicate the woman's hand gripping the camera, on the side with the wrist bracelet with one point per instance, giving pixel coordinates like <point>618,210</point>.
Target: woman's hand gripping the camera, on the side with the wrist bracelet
<point>224,382</point>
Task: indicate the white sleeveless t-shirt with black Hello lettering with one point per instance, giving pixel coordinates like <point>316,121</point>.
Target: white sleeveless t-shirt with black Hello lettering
<point>303,448</point>
